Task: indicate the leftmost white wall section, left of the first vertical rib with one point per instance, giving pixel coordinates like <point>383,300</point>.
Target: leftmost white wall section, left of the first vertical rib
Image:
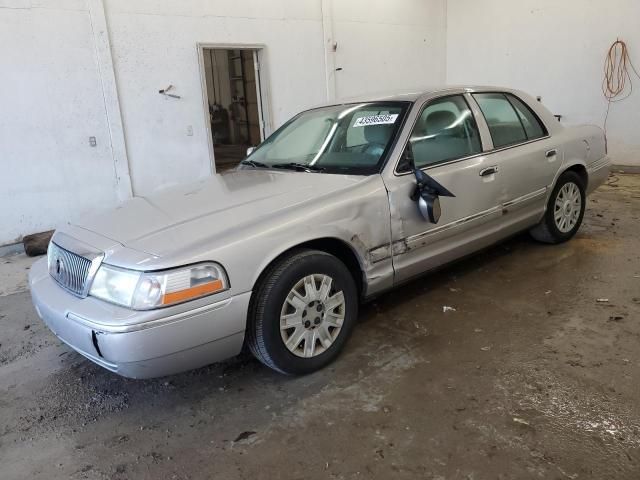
<point>51,102</point>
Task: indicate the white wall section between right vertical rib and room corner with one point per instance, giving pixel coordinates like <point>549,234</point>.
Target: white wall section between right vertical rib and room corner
<point>386,46</point>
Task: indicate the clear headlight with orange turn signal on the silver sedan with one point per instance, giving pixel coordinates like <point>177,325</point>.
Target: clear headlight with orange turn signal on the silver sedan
<point>148,290</point>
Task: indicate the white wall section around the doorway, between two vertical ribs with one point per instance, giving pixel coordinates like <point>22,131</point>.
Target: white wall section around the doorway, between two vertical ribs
<point>154,45</point>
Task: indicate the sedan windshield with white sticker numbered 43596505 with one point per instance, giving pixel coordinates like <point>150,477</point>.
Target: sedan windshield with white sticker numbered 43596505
<point>353,138</point>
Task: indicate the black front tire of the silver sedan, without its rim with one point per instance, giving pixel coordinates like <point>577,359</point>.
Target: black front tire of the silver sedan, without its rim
<point>263,335</point>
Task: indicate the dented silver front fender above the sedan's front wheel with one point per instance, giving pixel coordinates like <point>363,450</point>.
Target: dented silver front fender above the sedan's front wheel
<point>358,217</point>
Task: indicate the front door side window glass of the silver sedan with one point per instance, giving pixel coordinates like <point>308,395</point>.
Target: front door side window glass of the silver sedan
<point>445,130</point>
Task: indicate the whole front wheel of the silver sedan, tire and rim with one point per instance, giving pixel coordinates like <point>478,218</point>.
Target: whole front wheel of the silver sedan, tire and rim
<point>302,312</point>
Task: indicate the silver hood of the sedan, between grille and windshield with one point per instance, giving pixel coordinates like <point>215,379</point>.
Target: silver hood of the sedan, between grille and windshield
<point>160,223</point>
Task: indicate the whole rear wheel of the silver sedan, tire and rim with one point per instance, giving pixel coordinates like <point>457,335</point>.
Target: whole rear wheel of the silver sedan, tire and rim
<point>565,210</point>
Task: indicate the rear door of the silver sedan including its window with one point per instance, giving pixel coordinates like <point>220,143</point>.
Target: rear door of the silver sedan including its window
<point>521,144</point>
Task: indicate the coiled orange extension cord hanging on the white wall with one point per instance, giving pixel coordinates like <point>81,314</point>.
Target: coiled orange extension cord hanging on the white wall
<point>616,75</point>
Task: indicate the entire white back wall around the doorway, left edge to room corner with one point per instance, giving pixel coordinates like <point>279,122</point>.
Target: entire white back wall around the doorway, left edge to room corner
<point>57,88</point>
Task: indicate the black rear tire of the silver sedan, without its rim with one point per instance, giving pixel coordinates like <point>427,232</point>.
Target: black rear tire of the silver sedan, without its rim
<point>547,231</point>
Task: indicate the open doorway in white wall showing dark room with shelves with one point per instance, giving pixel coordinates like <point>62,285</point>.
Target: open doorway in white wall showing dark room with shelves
<point>234,103</point>
